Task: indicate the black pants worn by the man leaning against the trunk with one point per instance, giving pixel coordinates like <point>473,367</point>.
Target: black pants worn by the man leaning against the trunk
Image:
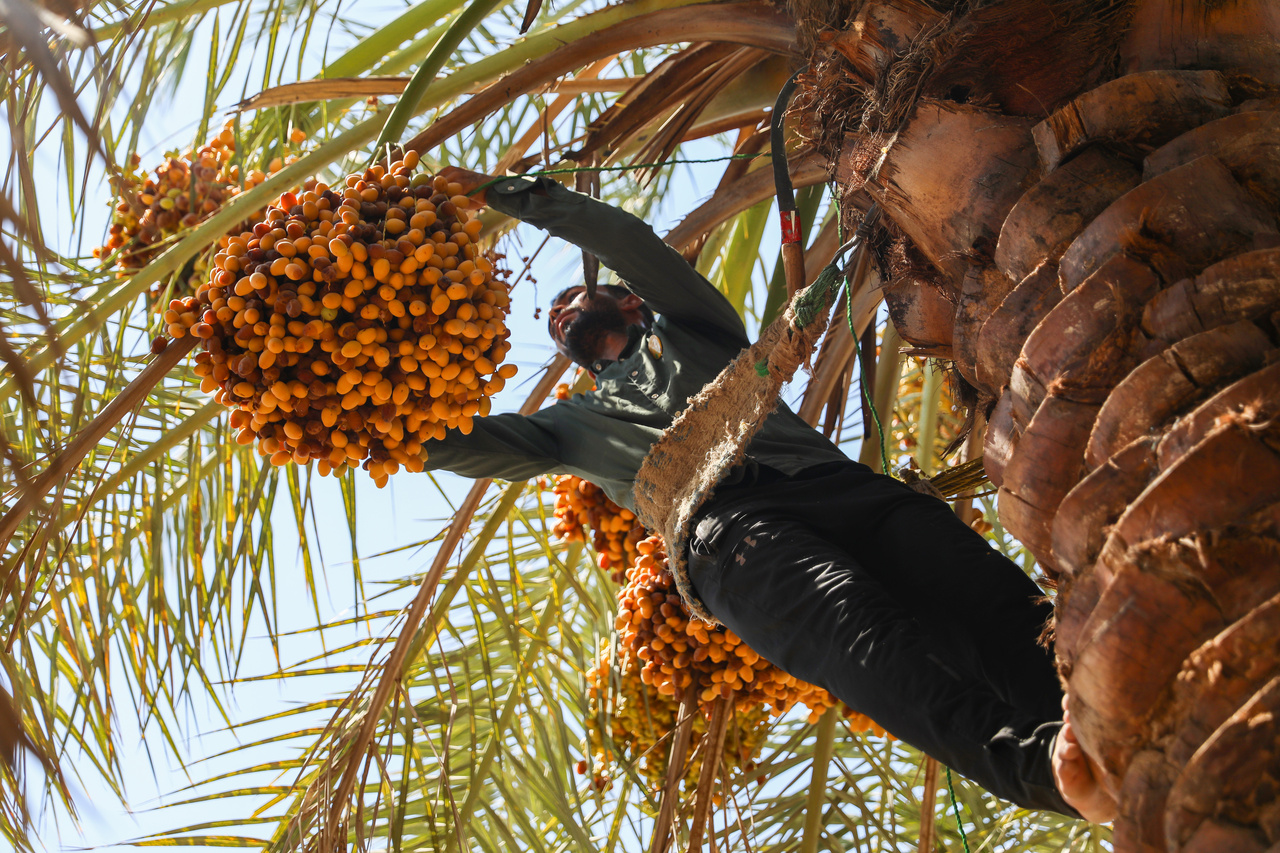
<point>854,582</point>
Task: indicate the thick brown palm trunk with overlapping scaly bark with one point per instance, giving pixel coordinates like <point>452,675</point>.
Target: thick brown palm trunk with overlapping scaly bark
<point>1109,272</point>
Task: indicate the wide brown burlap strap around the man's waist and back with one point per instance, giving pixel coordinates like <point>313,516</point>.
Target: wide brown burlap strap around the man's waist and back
<point>711,436</point>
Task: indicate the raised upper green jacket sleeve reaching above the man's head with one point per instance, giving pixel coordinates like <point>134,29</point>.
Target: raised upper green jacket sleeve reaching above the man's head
<point>652,270</point>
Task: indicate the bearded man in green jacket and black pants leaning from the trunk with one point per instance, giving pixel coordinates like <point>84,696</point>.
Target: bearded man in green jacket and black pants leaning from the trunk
<point>842,577</point>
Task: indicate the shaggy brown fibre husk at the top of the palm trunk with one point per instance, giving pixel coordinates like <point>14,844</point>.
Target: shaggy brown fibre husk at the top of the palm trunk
<point>872,62</point>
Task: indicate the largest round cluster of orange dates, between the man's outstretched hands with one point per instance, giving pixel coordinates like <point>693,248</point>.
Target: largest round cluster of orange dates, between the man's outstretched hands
<point>354,323</point>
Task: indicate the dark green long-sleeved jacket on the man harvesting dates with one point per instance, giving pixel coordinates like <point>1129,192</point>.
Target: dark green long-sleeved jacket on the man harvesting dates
<point>605,436</point>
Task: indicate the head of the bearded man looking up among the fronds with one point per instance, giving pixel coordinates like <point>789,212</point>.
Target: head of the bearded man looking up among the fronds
<point>591,330</point>
